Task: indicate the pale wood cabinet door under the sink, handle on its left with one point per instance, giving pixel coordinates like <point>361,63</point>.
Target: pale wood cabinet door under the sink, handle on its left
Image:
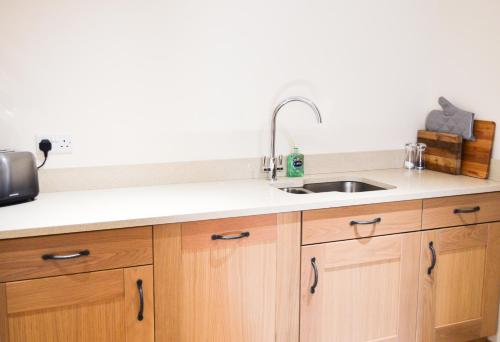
<point>360,290</point>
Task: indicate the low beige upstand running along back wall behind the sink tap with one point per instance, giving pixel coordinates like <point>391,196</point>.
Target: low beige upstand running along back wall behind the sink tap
<point>106,177</point>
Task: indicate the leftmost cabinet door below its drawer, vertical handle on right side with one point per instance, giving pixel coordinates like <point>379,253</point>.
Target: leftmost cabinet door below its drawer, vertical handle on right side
<point>97,306</point>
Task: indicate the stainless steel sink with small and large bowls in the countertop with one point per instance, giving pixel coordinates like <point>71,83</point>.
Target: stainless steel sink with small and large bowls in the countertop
<point>338,186</point>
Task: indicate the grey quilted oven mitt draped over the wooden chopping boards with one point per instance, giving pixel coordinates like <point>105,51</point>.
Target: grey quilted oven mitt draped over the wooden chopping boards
<point>451,120</point>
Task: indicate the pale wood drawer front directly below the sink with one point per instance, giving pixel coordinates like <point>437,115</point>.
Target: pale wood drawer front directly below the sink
<point>354,222</point>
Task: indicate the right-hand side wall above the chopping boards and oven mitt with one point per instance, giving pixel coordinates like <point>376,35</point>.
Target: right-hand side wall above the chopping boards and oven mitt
<point>466,62</point>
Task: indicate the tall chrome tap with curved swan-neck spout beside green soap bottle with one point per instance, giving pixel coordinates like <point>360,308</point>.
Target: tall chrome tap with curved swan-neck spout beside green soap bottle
<point>274,163</point>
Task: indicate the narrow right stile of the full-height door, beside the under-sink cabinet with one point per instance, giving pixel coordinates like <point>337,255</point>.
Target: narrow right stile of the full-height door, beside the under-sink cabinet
<point>288,277</point>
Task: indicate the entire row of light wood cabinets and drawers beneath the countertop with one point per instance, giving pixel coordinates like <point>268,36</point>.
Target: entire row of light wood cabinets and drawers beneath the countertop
<point>350,274</point>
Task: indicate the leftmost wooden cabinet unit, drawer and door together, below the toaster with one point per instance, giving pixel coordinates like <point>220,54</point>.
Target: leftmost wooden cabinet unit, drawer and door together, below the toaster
<point>78,287</point>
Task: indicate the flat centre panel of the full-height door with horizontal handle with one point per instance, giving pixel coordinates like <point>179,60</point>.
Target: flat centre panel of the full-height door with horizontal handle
<point>229,292</point>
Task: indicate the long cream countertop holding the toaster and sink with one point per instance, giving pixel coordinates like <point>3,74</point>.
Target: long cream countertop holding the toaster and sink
<point>67,212</point>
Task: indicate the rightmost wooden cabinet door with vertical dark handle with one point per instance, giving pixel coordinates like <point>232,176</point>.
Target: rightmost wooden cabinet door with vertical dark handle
<point>459,283</point>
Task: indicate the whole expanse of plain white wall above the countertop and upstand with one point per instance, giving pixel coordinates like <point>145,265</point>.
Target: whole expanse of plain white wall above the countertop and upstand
<point>156,81</point>
